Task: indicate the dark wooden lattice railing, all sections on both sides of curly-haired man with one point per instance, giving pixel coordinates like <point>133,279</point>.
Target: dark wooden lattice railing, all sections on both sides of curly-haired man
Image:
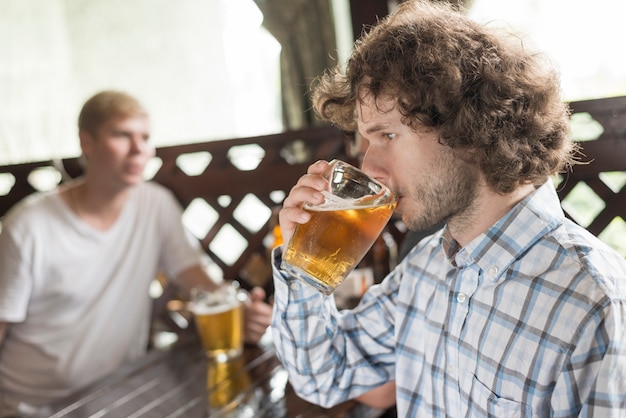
<point>229,188</point>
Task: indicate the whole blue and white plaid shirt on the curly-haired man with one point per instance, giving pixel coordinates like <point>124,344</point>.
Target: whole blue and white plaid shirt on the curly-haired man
<point>529,319</point>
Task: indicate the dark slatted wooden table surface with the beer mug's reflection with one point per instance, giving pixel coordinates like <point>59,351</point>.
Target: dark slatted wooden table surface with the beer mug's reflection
<point>181,382</point>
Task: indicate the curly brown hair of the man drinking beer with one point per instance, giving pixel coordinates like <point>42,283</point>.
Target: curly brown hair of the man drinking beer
<point>480,90</point>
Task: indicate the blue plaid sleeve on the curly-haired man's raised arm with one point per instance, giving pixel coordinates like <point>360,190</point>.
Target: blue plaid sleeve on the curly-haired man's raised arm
<point>332,356</point>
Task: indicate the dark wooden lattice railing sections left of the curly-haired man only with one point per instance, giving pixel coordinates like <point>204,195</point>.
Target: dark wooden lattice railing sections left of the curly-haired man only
<point>228,188</point>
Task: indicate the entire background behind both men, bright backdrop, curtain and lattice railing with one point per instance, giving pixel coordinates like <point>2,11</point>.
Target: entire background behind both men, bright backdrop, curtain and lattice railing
<point>212,70</point>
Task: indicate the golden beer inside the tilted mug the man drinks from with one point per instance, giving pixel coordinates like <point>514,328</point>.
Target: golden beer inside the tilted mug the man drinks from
<point>324,250</point>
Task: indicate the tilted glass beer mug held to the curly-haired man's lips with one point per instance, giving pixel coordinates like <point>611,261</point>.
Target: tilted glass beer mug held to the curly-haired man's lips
<point>341,230</point>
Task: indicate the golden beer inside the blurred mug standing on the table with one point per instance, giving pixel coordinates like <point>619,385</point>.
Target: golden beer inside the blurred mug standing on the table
<point>220,328</point>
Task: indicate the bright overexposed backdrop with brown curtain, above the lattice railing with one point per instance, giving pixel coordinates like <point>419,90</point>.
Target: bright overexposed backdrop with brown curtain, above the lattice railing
<point>219,69</point>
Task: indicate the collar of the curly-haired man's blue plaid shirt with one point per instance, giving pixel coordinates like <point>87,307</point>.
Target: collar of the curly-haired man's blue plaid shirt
<point>494,250</point>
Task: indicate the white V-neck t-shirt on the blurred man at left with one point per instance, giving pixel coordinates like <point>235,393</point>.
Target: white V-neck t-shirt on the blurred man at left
<point>77,297</point>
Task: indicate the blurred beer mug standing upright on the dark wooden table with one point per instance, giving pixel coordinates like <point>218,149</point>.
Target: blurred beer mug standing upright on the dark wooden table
<point>219,320</point>
